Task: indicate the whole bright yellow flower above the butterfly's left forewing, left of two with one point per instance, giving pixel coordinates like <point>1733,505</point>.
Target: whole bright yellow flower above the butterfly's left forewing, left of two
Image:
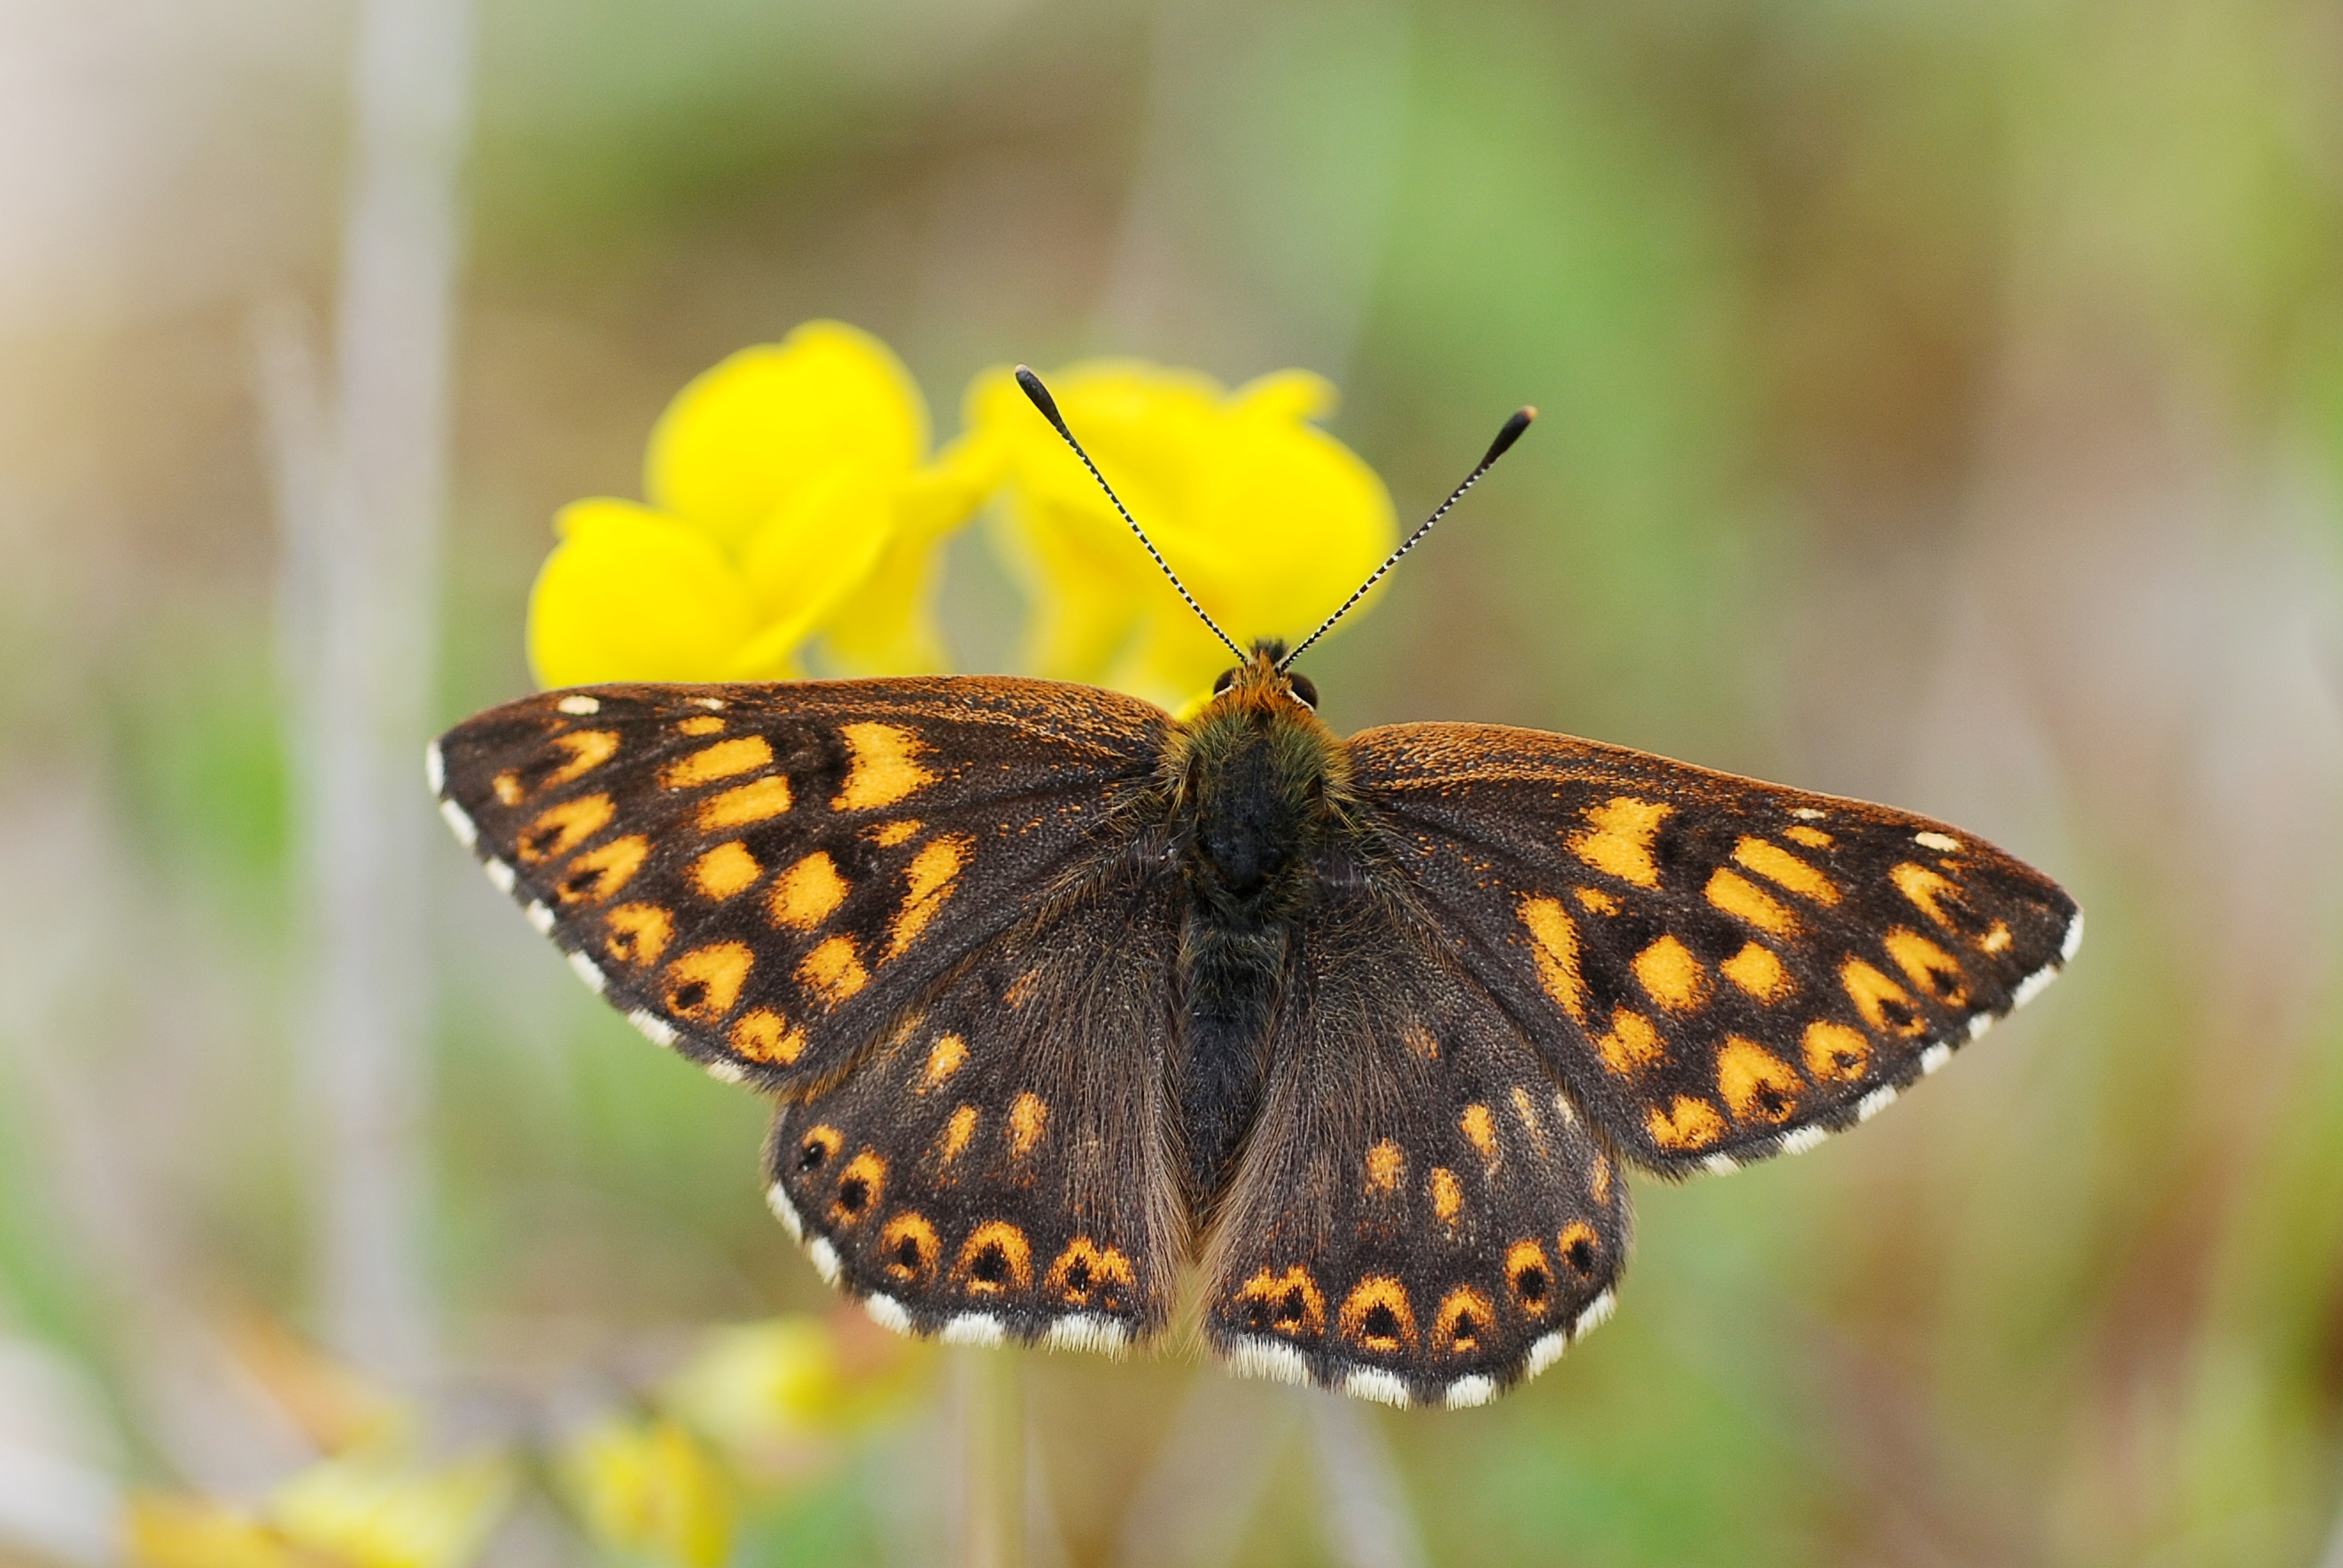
<point>788,496</point>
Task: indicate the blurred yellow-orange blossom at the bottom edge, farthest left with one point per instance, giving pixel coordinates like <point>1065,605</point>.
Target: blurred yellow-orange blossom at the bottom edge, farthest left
<point>369,1508</point>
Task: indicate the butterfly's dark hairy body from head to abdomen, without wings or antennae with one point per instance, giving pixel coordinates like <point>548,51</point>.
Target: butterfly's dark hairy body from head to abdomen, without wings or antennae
<point>1259,798</point>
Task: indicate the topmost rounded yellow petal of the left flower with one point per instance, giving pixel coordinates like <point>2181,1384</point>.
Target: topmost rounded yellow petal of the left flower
<point>751,435</point>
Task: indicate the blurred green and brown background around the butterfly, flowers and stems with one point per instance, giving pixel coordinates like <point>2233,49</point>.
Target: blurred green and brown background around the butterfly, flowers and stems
<point>1944,402</point>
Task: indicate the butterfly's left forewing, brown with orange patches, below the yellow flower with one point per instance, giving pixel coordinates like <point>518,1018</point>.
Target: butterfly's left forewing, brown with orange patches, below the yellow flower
<point>767,875</point>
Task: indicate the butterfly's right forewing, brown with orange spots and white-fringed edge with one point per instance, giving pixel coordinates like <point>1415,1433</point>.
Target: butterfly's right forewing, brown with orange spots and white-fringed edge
<point>1719,969</point>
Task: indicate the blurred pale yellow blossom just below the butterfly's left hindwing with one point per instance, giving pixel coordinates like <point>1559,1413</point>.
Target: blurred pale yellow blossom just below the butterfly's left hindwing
<point>777,1396</point>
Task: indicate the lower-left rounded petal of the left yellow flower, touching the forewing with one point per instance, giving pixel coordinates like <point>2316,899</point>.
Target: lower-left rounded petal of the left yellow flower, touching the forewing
<point>631,594</point>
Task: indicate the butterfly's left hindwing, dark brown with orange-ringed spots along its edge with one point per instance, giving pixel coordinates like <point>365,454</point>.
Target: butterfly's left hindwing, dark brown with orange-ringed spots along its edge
<point>997,1168</point>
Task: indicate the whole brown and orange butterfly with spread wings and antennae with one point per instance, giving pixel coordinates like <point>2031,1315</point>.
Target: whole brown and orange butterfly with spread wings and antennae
<point>1067,1002</point>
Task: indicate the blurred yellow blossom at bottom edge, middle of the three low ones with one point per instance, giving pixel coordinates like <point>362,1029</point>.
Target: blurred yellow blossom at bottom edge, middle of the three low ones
<point>648,1487</point>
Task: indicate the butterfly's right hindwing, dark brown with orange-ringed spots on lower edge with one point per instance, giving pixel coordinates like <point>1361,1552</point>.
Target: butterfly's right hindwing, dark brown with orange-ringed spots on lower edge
<point>1421,1215</point>
